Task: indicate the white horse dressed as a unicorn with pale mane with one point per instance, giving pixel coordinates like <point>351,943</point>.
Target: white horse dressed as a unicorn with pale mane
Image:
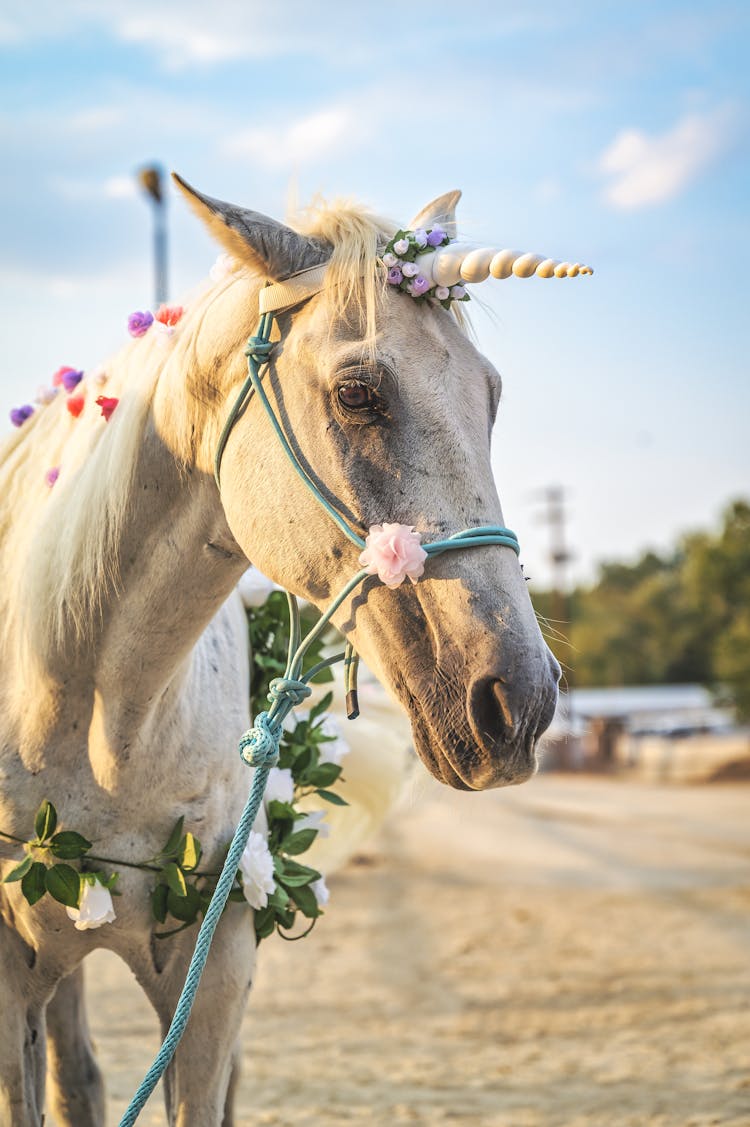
<point>125,649</point>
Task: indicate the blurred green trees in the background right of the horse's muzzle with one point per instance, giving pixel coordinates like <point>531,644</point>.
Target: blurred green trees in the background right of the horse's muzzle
<point>684,617</point>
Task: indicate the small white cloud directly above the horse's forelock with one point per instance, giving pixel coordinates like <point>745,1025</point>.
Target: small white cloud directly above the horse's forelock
<point>301,143</point>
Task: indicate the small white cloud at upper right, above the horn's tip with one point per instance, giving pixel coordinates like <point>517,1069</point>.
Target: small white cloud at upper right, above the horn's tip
<point>652,170</point>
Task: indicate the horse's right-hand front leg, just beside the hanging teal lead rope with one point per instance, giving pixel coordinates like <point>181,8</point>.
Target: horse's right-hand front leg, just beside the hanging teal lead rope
<point>199,1082</point>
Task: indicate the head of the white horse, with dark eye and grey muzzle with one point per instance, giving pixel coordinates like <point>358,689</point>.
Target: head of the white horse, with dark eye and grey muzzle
<point>390,410</point>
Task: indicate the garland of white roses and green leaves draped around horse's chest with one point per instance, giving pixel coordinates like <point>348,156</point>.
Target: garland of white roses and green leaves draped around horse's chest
<point>270,877</point>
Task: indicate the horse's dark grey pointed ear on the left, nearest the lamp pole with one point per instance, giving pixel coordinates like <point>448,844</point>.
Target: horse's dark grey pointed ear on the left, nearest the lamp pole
<point>267,246</point>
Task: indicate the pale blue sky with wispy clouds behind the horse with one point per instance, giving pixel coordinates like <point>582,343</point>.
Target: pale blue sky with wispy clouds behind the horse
<point>612,135</point>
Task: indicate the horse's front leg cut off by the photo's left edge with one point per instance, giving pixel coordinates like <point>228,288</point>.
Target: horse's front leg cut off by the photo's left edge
<point>22,1036</point>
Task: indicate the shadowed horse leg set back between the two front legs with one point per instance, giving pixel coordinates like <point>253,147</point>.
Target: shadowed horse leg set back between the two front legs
<point>77,1089</point>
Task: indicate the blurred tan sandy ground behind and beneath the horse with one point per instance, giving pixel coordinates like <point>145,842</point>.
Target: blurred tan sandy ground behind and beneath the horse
<point>575,952</point>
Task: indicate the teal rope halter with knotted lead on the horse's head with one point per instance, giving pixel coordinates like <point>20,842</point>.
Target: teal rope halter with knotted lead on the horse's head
<point>259,748</point>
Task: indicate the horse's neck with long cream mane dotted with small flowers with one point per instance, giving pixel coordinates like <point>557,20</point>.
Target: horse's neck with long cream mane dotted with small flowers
<point>130,562</point>
